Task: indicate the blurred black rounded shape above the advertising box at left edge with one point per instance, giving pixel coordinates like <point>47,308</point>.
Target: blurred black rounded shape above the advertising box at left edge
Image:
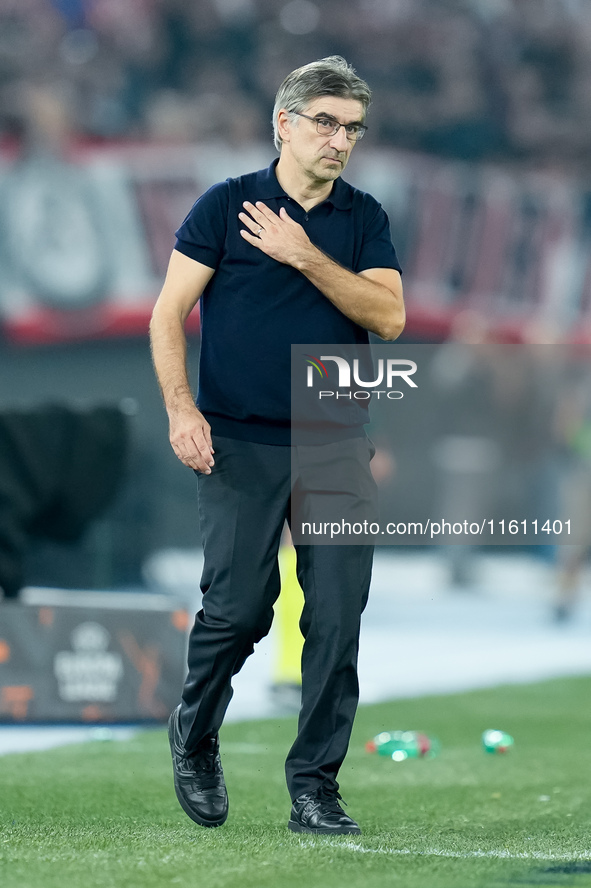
<point>60,467</point>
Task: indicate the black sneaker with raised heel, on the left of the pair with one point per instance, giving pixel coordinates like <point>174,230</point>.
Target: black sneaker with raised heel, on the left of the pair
<point>198,777</point>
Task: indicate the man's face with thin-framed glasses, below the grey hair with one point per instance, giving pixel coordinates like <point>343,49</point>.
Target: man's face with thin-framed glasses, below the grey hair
<point>323,157</point>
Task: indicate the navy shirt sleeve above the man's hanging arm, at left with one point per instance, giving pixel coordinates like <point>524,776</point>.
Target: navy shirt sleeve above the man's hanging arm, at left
<point>203,233</point>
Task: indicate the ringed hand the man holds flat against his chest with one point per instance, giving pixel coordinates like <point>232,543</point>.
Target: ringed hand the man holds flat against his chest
<point>279,236</point>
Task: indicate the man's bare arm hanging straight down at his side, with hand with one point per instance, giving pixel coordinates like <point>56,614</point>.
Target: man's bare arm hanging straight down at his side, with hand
<point>189,431</point>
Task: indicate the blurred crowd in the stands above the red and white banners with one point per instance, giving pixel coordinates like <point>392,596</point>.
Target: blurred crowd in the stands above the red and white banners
<point>472,79</point>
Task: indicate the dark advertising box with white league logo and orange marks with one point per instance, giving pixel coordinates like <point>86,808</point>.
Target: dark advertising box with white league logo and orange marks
<point>90,657</point>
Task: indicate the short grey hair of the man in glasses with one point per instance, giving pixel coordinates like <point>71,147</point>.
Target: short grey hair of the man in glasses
<point>332,76</point>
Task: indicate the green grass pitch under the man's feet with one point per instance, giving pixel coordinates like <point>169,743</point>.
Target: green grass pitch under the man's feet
<point>104,815</point>
